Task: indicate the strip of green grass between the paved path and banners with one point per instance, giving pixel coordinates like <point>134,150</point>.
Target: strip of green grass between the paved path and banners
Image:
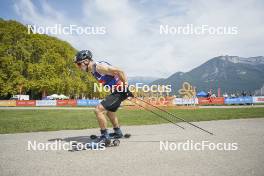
<point>14,121</point>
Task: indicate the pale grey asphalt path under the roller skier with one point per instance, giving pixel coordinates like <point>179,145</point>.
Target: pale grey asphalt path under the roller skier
<point>141,154</point>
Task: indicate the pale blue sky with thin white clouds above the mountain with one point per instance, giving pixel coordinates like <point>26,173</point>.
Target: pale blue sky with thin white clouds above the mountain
<point>132,39</point>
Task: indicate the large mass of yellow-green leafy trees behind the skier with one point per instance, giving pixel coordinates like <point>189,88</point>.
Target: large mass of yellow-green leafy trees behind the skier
<point>39,65</point>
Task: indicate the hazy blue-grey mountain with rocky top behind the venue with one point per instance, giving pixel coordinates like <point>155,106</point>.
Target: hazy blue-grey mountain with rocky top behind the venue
<point>230,73</point>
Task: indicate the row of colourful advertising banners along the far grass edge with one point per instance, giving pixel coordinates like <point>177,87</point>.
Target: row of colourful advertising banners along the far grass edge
<point>174,101</point>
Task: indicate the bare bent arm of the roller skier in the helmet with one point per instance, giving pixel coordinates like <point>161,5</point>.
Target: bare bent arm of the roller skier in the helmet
<point>110,70</point>
